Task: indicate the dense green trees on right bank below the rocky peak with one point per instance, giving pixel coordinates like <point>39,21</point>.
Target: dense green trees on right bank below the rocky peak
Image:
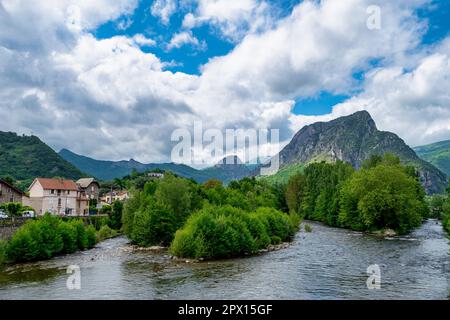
<point>382,194</point>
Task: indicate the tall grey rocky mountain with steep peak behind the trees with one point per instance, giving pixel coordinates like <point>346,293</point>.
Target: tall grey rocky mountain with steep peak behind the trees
<point>354,139</point>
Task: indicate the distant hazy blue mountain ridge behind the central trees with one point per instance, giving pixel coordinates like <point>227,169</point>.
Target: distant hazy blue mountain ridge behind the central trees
<point>108,170</point>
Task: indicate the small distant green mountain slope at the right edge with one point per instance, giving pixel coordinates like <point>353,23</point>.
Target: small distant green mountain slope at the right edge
<point>437,154</point>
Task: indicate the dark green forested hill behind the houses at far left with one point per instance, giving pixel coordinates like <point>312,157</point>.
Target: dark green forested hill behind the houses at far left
<point>27,157</point>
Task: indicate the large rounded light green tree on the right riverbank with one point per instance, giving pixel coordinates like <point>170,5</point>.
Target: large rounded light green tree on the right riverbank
<point>384,196</point>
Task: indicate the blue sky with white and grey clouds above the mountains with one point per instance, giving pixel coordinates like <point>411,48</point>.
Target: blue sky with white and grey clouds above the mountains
<point>112,79</point>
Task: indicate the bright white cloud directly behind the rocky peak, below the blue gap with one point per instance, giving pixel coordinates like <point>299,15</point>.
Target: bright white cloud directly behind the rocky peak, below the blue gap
<point>414,104</point>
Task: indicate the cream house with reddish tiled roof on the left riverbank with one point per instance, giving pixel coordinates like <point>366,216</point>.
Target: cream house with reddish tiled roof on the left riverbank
<point>57,196</point>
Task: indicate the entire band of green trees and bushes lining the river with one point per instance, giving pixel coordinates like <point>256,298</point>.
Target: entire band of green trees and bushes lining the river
<point>211,221</point>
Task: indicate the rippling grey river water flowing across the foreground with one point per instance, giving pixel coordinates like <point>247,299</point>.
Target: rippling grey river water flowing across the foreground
<point>327,263</point>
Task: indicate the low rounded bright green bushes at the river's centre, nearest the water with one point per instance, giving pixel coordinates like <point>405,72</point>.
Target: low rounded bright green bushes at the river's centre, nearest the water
<point>223,232</point>
